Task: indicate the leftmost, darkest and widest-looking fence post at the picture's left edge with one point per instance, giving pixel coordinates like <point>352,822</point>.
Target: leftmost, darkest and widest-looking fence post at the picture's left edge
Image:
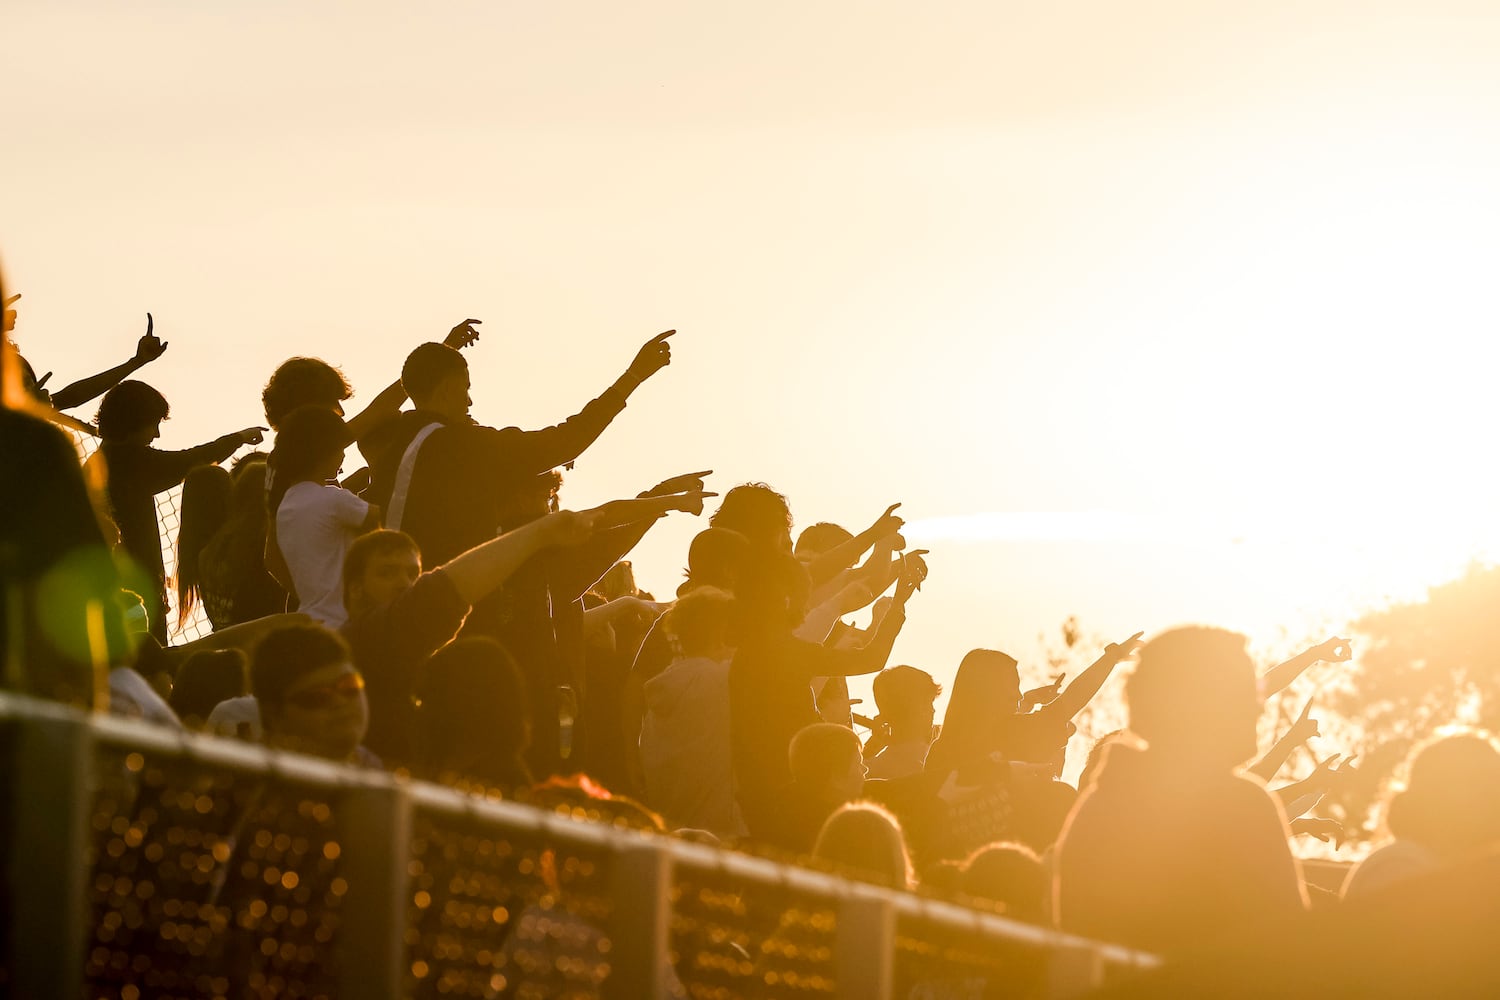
<point>49,816</point>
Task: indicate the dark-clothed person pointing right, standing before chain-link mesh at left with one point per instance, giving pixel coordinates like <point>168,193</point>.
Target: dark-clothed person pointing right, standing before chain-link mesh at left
<point>130,421</point>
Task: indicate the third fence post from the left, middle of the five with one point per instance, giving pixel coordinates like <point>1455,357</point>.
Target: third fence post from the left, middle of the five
<point>641,923</point>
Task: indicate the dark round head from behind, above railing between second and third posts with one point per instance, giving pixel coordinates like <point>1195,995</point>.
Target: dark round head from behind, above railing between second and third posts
<point>472,717</point>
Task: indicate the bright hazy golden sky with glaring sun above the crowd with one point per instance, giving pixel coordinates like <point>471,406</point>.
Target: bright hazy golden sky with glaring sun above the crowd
<point>1166,311</point>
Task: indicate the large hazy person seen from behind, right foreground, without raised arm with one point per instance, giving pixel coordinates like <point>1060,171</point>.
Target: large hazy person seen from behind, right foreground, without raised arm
<point>1171,848</point>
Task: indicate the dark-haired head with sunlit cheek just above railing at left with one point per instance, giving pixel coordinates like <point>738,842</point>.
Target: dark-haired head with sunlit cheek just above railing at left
<point>311,696</point>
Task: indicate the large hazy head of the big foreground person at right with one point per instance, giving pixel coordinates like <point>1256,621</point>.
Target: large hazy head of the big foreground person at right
<point>1193,696</point>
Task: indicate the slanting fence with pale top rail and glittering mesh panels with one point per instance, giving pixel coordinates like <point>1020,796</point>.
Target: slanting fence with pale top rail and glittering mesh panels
<point>142,863</point>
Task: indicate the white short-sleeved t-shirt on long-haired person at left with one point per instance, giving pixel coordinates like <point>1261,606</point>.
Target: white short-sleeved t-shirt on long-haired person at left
<point>314,527</point>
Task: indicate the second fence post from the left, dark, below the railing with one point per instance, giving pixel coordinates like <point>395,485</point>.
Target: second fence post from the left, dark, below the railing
<point>374,852</point>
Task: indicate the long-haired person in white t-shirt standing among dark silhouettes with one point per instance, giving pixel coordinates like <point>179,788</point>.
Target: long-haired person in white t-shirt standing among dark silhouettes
<point>313,522</point>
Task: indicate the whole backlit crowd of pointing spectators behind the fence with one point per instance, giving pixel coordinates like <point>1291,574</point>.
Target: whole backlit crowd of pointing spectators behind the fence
<point>440,614</point>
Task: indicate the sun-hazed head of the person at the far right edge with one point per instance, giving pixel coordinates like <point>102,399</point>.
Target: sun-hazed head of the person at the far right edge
<point>1451,803</point>
